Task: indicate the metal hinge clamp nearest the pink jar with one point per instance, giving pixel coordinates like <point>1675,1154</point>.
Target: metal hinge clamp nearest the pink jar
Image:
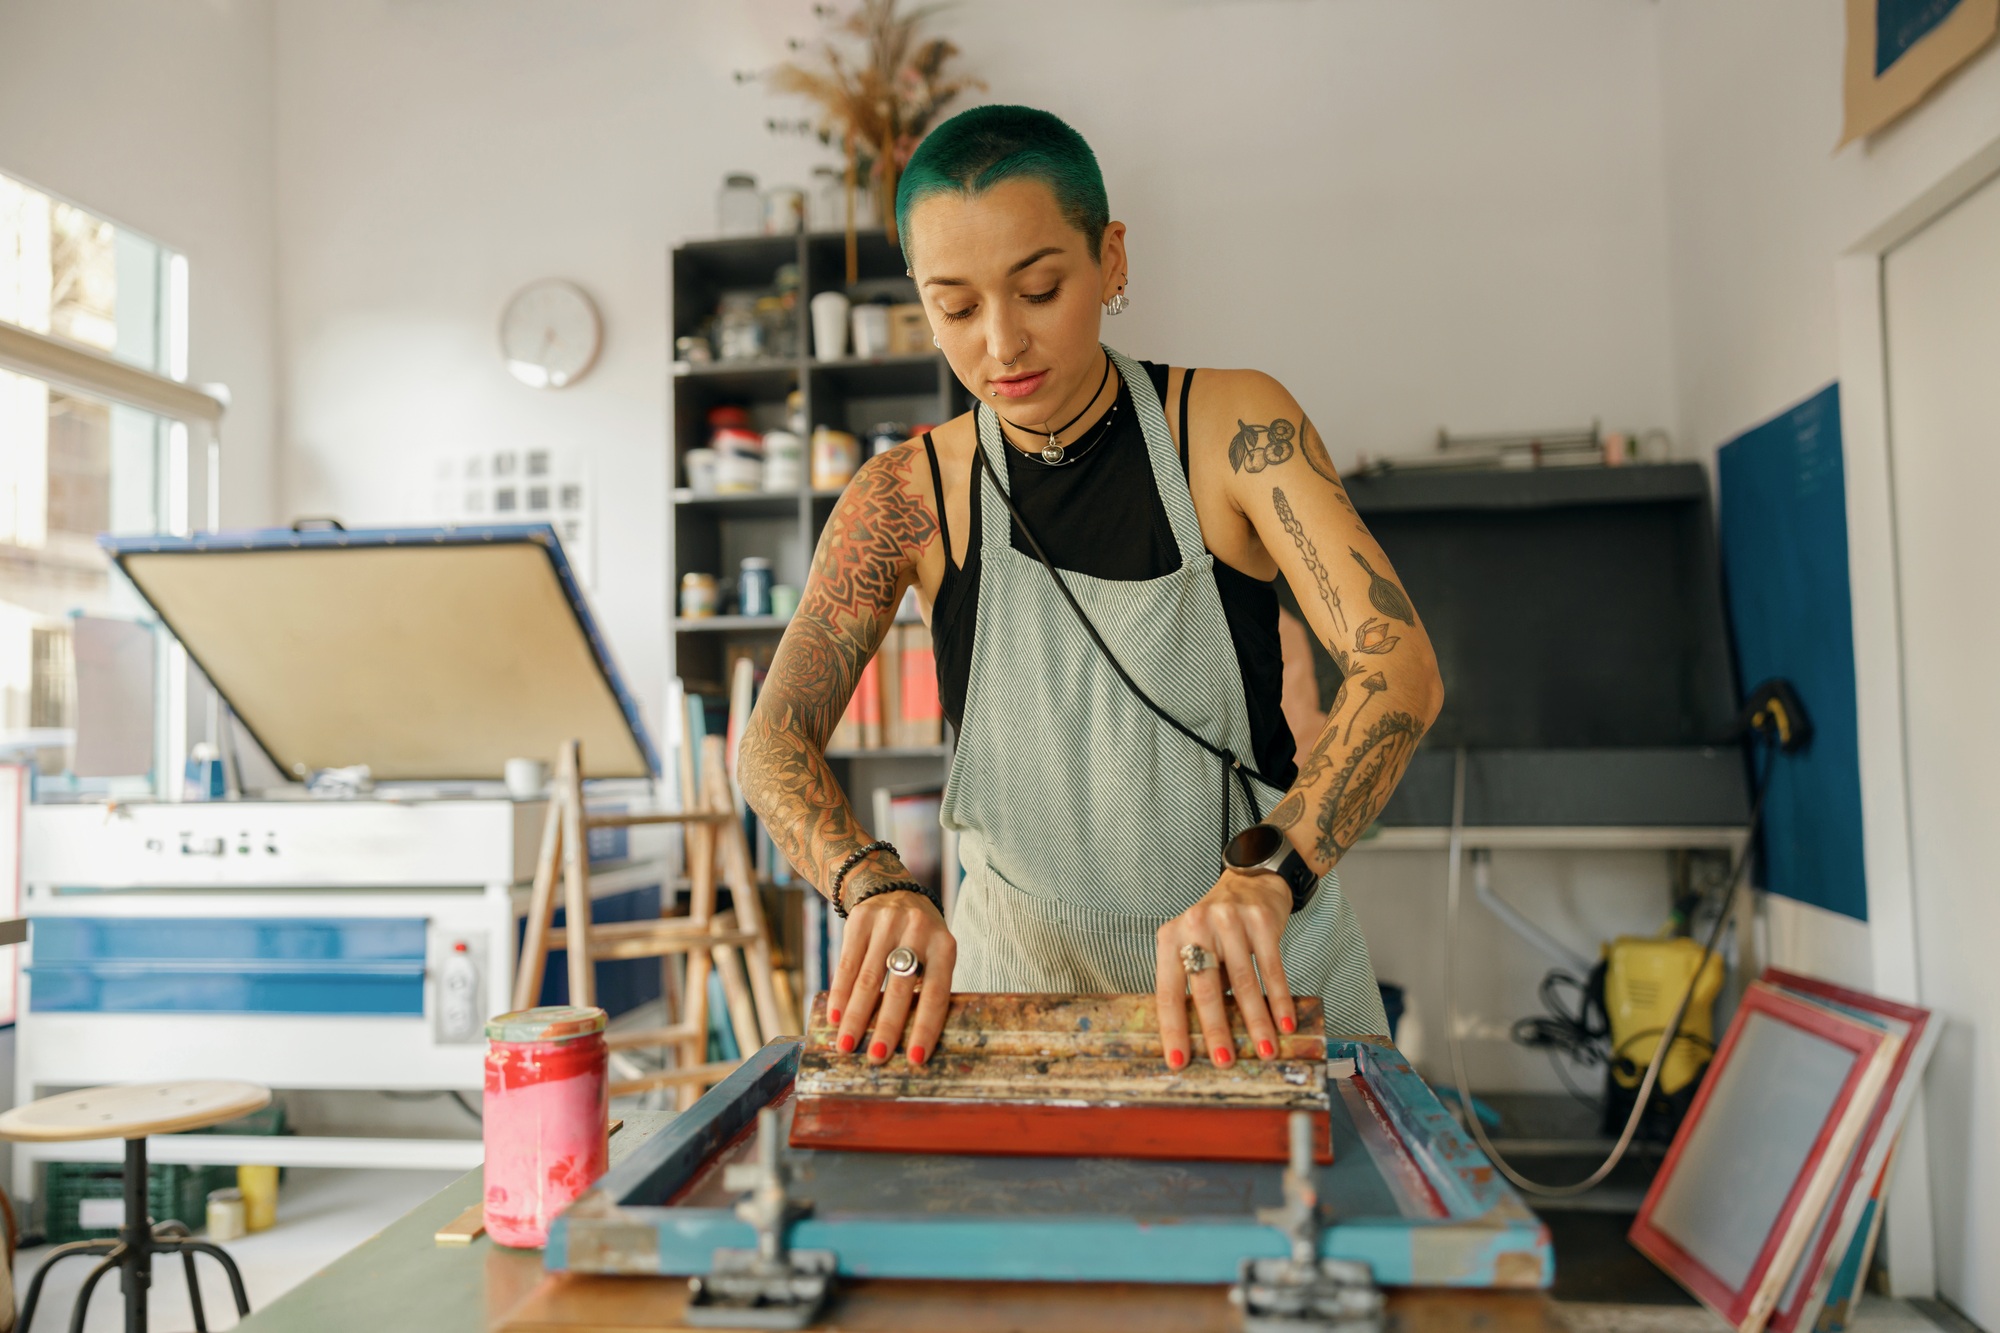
<point>771,1286</point>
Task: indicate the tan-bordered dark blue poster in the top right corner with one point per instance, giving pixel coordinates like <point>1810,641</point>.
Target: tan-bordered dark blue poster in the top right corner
<point>1903,49</point>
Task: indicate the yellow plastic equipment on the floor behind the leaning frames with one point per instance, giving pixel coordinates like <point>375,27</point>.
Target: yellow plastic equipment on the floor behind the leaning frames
<point>1643,984</point>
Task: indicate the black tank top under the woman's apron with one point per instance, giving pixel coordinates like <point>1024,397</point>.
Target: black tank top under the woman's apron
<point>1103,517</point>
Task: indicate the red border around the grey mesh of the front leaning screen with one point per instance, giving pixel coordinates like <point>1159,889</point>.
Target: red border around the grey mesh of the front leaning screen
<point>1873,1050</point>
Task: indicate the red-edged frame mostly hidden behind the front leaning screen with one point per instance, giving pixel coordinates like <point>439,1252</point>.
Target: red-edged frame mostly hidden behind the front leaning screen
<point>1847,1212</point>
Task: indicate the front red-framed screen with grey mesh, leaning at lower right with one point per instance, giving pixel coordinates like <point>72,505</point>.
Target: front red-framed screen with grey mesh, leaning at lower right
<point>1757,1160</point>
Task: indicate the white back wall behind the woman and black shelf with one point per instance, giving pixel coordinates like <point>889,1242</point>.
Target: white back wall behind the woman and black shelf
<point>1417,215</point>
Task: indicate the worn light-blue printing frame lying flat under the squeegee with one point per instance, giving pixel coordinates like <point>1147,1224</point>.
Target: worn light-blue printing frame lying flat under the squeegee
<point>1483,1236</point>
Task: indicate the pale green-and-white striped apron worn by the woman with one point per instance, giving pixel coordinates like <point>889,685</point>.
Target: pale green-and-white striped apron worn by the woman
<point>1083,820</point>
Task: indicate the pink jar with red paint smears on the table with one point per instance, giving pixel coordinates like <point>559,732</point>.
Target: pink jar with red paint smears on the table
<point>545,1114</point>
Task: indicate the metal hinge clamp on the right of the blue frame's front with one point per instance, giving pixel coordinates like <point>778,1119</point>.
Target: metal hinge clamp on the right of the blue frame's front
<point>1305,1294</point>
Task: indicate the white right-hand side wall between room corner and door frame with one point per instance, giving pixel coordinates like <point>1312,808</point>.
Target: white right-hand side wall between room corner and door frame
<point>1759,205</point>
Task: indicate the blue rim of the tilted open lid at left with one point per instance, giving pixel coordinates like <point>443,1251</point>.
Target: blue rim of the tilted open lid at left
<point>123,549</point>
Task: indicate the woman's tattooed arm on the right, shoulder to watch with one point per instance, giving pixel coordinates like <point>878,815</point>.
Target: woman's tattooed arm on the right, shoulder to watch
<point>1287,487</point>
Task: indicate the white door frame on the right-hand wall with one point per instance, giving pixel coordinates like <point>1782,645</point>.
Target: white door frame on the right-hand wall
<point>1879,674</point>
